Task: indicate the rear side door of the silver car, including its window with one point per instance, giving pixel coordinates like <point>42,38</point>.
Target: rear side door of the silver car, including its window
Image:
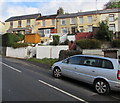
<point>86,69</point>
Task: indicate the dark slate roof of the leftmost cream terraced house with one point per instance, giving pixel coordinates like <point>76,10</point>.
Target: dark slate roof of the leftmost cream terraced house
<point>23,17</point>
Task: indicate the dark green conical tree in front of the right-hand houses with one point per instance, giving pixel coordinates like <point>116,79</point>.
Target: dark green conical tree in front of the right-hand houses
<point>103,33</point>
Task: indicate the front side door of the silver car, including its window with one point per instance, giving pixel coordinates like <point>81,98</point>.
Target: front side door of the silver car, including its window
<point>69,66</point>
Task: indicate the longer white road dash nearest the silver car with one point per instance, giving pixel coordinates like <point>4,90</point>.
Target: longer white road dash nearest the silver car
<point>63,91</point>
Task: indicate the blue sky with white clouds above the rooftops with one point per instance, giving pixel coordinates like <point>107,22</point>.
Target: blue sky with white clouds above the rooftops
<point>9,8</point>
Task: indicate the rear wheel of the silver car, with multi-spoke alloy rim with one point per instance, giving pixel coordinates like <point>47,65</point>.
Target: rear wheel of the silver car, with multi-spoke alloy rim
<point>102,87</point>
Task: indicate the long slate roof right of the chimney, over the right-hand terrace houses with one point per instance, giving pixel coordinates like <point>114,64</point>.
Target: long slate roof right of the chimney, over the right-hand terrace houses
<point>88,13</point>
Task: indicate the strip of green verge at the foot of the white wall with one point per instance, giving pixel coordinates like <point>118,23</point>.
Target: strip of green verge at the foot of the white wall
<point>47,61</point>
